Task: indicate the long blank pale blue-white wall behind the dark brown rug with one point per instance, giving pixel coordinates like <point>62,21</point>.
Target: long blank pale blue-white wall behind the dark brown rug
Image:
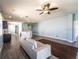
<point>59,27</point>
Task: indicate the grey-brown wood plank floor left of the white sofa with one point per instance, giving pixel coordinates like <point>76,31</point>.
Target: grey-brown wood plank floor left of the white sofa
<point>13,50</point>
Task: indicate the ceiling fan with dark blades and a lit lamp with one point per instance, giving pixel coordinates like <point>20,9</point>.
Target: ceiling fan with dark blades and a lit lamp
<point>46,9</point>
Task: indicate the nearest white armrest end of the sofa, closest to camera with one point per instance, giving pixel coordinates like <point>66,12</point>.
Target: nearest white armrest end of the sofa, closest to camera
<point>43,52</point>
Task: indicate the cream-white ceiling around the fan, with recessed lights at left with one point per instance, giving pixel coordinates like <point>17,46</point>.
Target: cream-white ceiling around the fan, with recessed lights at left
<point>18,9</point>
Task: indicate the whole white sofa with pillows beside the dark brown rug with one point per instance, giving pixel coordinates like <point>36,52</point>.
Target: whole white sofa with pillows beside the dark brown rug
<point>36,50</point>
